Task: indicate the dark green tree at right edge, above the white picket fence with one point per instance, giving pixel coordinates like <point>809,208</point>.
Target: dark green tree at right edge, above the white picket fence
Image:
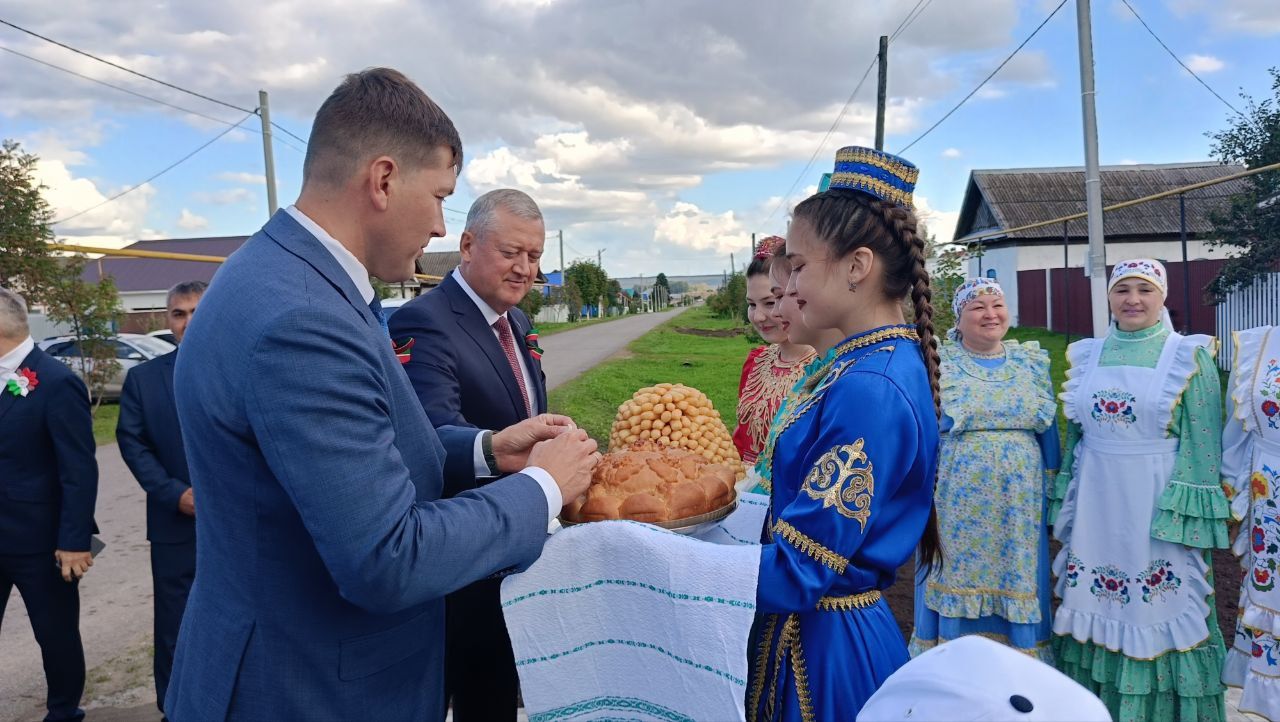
<point>1251,225</point>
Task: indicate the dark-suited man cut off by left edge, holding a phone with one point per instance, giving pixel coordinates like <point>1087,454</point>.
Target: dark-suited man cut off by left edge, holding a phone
<point>48,491</point>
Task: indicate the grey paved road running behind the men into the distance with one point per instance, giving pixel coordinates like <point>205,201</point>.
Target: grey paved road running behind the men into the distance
<point>116,597</point>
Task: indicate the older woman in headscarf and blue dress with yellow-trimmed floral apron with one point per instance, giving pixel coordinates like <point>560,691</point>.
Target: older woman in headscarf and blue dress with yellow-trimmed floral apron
<point>999,445</point>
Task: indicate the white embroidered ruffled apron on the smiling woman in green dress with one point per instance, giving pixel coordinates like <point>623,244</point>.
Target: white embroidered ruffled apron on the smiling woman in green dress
<point>1121,588</point>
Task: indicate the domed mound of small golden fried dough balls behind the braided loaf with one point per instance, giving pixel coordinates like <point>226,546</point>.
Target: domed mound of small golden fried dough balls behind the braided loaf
<point>679,417</point>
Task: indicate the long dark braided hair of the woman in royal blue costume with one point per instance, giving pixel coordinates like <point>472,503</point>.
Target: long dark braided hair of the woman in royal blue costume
<point>848,221</point>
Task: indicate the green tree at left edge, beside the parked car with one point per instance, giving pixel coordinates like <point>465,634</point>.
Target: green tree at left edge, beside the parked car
<point>33,268</point>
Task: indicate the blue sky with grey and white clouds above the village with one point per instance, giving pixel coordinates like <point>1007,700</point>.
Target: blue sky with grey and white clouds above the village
<point>664,132</point>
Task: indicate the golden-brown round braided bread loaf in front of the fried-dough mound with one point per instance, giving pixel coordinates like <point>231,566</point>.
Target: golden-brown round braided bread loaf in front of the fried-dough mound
<point>648,482</point>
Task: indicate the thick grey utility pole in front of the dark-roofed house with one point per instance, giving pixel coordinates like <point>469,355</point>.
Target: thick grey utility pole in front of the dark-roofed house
<point>1098,262</point>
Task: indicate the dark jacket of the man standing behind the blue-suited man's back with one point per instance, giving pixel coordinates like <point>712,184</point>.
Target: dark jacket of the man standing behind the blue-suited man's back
<point>150,441</point>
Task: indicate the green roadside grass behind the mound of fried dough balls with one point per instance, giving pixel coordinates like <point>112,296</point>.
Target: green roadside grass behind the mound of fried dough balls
<point>710,364</point>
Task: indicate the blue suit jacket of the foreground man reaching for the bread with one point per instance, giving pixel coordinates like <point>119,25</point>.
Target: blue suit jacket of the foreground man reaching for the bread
<point>324,551</point>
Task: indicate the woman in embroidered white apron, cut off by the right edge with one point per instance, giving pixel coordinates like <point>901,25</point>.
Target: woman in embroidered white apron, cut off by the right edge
<point>1251,476</point>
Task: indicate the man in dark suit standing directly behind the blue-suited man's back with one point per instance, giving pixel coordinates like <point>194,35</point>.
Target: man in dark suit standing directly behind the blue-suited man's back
<point>150,444</point>
